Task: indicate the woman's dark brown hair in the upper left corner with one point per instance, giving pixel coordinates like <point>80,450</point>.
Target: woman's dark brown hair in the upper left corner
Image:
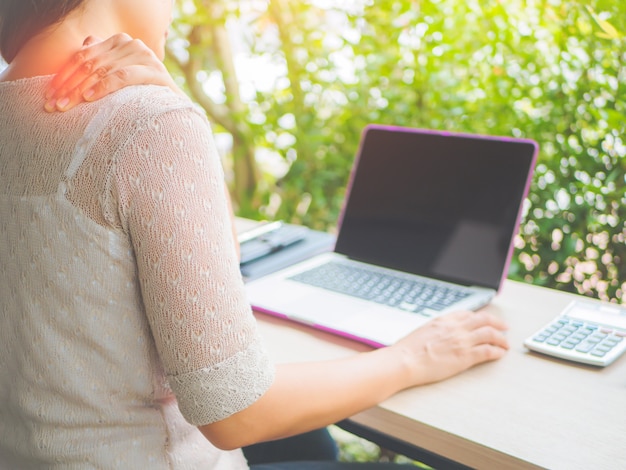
<point>20,20</point>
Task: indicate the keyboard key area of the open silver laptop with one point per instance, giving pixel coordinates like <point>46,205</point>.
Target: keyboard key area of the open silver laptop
<point>402,292</point>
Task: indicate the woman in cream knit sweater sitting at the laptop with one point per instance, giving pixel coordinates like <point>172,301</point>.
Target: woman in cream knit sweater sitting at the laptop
<point>125,337</point>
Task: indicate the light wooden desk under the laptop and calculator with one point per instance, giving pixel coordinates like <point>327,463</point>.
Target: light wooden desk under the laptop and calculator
<point>524,411</point>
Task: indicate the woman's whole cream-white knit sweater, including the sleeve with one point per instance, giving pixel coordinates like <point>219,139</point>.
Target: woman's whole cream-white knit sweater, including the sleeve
<point>123,316</point>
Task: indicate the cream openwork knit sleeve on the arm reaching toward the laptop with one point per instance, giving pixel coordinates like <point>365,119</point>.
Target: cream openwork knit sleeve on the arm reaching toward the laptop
<point>171,200</point>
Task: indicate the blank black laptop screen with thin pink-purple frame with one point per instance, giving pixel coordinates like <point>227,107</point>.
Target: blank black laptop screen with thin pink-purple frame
<point>436,204</point>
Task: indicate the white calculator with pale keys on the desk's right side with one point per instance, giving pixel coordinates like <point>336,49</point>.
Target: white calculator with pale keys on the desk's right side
<point>588,332</point>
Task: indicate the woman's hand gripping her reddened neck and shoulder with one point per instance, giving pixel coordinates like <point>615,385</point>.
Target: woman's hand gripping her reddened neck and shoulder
<point>102,67</point>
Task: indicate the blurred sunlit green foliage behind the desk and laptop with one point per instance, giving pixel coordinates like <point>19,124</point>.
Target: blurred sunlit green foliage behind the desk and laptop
<point>550,70</point>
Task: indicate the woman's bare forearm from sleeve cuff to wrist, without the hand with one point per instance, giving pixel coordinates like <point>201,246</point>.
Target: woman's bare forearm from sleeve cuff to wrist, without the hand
<point>307,396</point>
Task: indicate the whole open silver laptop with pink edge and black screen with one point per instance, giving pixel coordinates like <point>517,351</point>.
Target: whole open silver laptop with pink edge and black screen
<point>427,227</point>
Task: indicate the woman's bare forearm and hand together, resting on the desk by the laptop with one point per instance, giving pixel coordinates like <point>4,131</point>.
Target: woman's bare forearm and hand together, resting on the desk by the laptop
<point>307,396</point>
